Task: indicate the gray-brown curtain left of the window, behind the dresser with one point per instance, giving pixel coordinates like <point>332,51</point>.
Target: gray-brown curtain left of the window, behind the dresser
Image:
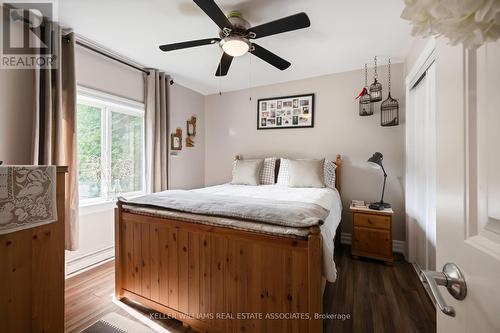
<point>54,126</point>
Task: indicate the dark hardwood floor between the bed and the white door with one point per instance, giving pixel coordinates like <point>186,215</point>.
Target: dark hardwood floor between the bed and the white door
<point>379,298</point>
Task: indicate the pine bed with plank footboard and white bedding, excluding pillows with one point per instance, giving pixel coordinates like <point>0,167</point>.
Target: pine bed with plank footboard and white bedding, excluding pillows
<point>228,273</point>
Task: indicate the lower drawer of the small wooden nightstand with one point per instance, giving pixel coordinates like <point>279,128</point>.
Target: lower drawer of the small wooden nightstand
<point>376,242</point>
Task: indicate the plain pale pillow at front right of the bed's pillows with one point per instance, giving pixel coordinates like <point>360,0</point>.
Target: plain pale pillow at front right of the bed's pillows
<point>306,173</point>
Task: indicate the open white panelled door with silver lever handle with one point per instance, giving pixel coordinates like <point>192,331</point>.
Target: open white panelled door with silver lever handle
<point>468,182</point>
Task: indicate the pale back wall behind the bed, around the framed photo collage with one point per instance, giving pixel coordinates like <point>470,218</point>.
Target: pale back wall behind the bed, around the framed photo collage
<point>231,129</point>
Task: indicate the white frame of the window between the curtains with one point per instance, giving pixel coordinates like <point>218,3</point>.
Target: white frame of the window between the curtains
<point>109,103</point>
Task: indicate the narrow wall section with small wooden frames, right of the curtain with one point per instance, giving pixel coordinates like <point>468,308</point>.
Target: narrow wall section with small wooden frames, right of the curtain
<point>187,167</point>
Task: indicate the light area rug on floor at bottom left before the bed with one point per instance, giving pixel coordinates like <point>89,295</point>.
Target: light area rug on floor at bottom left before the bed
<point>114,323</point>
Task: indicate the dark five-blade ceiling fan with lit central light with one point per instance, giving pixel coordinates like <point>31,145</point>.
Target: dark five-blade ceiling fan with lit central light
<point>236,35</point>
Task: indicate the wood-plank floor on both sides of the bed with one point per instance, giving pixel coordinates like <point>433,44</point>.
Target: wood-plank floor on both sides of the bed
<point>367,297</point>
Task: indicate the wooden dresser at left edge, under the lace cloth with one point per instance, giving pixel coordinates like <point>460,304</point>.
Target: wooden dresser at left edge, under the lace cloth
<point>32,274</point>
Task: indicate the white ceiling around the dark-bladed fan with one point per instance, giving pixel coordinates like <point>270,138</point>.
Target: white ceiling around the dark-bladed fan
<point>343,36</point>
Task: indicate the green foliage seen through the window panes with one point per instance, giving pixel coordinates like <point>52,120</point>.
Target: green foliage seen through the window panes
<point>121,171</point>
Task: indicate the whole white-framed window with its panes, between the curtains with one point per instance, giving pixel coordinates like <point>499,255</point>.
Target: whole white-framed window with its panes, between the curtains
<point>110,140</point>
